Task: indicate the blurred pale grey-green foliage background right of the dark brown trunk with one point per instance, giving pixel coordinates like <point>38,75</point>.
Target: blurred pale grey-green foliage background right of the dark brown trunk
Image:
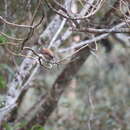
<point>98,97</point>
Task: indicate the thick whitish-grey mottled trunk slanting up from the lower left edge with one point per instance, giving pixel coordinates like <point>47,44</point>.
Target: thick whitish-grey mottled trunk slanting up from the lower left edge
<point>23,74</point>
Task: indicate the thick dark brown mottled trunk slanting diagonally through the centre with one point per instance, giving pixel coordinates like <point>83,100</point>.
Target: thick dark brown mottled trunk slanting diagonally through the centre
<point>49,103</point>
